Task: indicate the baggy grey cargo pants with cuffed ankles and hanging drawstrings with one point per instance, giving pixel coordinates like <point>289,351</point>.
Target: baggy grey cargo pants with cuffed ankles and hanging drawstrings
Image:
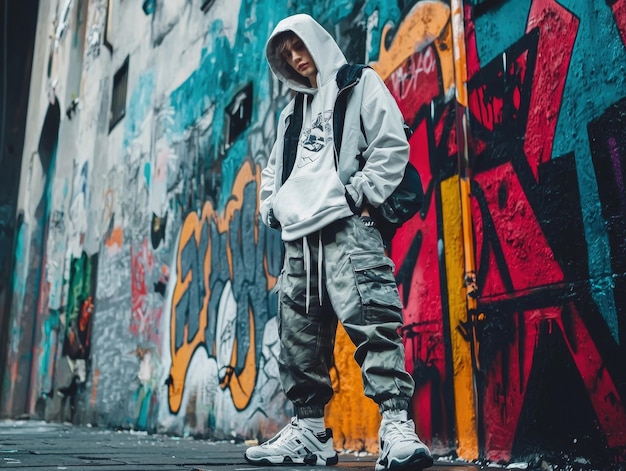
<point>358,288</point>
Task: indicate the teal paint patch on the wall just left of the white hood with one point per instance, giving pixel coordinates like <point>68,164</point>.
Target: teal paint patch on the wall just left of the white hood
<point>223,69</point>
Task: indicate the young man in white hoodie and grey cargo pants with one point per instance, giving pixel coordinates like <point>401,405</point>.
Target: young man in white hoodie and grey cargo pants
<point>335,267</point>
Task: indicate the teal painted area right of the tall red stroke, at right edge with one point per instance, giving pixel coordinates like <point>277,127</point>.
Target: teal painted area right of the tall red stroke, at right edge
<point>572,135</point>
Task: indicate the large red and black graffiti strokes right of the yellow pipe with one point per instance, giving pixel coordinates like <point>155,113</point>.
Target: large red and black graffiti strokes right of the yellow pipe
<point>514,103</point>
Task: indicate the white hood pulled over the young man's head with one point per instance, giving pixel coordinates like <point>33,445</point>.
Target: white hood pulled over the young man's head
<point>324,51</point>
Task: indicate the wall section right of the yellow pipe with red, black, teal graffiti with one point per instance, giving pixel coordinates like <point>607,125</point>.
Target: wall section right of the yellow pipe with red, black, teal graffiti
<point>550,332</point>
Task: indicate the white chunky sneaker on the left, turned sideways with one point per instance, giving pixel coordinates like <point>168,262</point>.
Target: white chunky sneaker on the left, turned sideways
<point>295,445</point>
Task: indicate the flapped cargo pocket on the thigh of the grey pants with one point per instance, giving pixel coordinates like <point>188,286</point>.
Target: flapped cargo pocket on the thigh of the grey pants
<point>375,281</point>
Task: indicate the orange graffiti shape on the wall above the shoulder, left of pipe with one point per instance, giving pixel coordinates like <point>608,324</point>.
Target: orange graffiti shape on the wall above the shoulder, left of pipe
<point>428,22</point>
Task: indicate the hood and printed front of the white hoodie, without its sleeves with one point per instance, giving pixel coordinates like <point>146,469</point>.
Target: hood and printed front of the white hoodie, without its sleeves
<point>313,196</point>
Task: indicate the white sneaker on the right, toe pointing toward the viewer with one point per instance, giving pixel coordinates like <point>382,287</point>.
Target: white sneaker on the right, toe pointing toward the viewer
<point>401,448</point>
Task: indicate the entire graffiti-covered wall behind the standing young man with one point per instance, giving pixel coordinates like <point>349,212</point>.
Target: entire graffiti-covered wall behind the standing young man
<point>143,288</point>
